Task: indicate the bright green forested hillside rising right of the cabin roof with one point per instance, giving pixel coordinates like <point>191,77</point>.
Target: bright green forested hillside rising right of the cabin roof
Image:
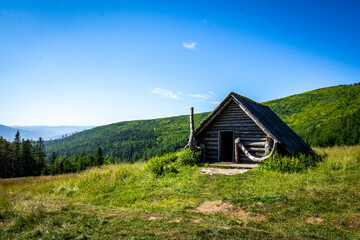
<point>323,117</point>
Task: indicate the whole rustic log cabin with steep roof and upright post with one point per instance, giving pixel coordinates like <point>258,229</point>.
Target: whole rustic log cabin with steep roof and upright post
<point>242,130</point>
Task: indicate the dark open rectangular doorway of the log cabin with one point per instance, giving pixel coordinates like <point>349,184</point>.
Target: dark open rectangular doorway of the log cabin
<point>226,146</point>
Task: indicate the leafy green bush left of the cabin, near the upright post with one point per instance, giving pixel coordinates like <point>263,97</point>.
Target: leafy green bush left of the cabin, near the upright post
<point>161,165</point>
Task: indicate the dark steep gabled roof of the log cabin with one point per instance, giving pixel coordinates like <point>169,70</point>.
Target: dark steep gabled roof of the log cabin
<point>266,119</point>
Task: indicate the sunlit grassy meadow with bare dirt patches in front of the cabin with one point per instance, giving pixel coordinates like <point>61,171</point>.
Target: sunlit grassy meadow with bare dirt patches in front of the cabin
<point>127,202</point>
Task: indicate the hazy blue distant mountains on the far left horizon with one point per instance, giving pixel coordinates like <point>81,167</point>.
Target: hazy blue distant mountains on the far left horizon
<point>45,132</point>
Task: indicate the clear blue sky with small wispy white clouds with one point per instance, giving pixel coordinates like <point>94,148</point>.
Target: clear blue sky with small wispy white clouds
<point>100,62</point>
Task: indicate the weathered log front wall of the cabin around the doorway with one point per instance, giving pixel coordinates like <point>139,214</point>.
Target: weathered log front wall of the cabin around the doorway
<point>235,119</point>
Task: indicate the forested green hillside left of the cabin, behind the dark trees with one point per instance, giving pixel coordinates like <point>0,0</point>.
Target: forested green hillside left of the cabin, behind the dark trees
<point>129,141</point>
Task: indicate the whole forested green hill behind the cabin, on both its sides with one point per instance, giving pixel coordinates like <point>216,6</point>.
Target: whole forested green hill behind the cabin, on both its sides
<point>322,117</point>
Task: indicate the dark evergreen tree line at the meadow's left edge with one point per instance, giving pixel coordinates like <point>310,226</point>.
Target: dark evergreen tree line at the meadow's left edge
<point>23,158</point>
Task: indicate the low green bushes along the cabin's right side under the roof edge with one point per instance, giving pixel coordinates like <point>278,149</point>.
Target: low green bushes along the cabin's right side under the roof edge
<point>291,164</point>
